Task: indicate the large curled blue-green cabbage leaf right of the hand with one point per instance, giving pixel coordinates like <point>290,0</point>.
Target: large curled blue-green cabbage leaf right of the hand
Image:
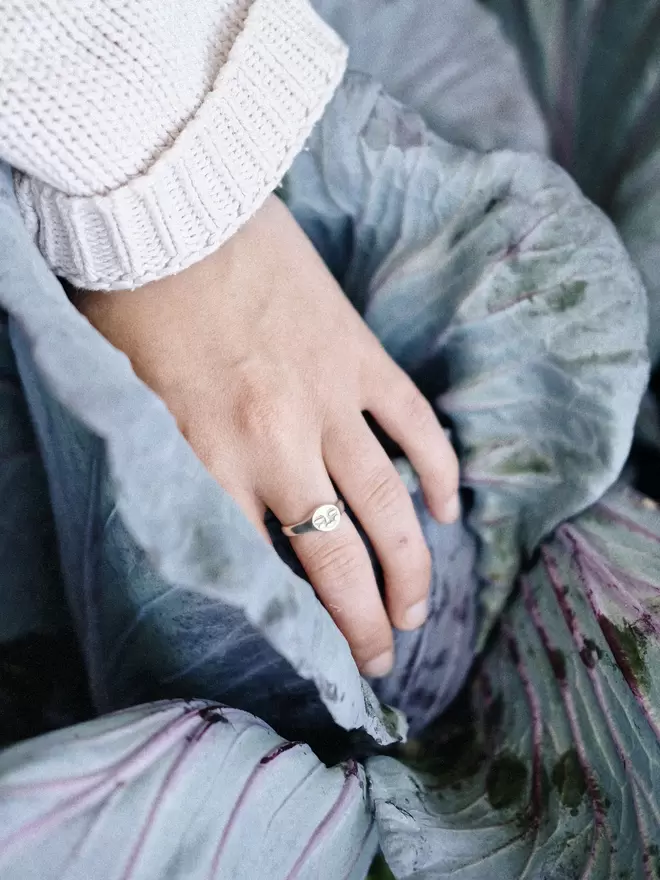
<point>507,296</point>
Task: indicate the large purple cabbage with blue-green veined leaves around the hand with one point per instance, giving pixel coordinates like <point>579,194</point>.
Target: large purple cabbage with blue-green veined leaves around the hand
<point>512,303</point>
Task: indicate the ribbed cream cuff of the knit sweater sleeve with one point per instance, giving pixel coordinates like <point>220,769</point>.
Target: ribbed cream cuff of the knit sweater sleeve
<point>282,69</point>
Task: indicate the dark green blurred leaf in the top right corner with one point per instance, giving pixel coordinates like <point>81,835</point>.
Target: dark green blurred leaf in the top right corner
<point>595,68</point>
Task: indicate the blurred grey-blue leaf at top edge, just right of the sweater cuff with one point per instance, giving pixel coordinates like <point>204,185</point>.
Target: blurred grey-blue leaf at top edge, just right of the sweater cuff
<point>450,62</point>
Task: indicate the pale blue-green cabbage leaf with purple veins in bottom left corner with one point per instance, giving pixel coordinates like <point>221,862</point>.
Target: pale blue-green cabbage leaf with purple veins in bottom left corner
<point>179,790</point>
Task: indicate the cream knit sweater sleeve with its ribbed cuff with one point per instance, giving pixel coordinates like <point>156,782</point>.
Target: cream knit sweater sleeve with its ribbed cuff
<point>145,132</point>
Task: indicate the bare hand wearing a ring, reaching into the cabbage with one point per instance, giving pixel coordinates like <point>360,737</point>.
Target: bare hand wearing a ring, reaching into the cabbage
<point>268,369</point>
